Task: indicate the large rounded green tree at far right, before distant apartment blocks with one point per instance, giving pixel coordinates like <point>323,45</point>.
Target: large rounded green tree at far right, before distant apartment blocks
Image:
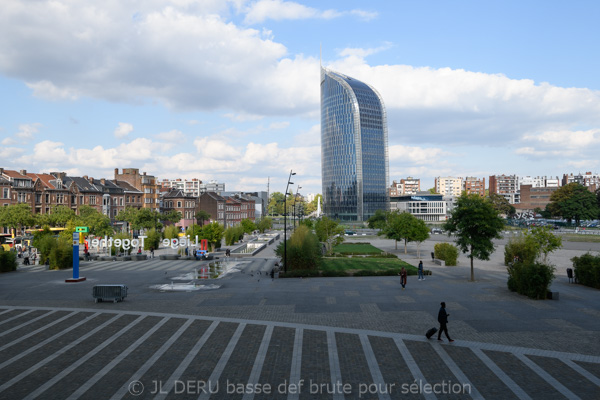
<point>574,202</point>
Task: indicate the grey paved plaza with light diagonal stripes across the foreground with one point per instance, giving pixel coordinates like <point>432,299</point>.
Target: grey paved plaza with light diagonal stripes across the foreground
<point>250,337</point>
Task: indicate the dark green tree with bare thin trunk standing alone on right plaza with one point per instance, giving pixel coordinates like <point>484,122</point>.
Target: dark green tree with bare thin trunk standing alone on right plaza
<point>476,223</point>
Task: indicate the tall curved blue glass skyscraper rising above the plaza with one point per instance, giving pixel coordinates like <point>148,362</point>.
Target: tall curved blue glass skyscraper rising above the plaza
<point>354,154</point>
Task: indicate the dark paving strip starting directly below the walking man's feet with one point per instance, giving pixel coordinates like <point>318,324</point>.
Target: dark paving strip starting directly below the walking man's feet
<point>486,382</point>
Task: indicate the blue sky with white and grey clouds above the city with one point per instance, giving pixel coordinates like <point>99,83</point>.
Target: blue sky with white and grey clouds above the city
<point>229,90</point>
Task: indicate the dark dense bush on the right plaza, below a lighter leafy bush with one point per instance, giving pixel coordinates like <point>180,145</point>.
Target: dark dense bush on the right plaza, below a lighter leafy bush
<point>531,280</point>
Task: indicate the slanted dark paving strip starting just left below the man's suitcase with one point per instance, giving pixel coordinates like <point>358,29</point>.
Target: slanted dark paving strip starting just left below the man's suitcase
<point>433,368</point>
